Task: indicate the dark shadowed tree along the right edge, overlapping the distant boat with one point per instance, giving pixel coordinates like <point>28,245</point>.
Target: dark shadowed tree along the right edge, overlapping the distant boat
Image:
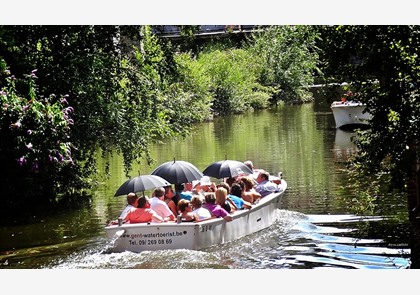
<point>382,64</point>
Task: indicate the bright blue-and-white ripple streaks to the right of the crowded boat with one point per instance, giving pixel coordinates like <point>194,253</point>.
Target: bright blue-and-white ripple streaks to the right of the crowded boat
<point>321,241</point>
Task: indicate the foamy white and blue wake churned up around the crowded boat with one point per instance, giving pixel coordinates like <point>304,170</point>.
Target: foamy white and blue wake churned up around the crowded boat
<point>294,241</point>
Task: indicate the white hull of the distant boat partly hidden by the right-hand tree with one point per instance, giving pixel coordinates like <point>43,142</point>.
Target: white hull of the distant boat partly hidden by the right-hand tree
<point>349,113</point>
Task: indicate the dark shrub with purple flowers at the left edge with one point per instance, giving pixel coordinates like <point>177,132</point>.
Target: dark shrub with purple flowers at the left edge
<point>35,144</point>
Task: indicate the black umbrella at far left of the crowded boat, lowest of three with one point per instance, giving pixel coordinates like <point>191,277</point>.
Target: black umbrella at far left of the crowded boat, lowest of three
<point>141,183</point>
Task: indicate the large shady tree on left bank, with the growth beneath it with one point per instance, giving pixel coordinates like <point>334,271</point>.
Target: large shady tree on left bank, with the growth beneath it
<point>115,79</point>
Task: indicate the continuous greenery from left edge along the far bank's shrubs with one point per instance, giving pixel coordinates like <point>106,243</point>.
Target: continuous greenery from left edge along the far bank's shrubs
<point>124,88</point>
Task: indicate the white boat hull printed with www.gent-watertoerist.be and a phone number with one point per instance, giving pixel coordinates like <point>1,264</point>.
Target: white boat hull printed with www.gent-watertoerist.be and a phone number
<point>194,236</point>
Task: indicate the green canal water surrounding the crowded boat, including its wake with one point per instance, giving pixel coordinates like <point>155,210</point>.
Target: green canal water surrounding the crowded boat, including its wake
<point>318,226</point>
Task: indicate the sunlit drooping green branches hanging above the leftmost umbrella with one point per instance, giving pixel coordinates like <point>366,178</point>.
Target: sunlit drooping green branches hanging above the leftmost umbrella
<point>156,99</point>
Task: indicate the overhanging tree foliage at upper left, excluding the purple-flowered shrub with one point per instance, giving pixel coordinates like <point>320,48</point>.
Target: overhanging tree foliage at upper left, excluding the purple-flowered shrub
<point>118,80</point>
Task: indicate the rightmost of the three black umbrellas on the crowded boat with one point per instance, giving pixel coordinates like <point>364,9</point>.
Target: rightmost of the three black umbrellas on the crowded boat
<point>226,168</point>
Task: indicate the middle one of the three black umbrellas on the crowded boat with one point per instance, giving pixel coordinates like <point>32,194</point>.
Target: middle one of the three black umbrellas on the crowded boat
<point>178,172</point>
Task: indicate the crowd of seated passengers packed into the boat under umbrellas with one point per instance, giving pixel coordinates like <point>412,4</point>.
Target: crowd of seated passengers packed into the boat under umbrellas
<point>200,201</point>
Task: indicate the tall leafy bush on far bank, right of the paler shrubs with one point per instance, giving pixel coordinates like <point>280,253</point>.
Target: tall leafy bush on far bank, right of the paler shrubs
<point>288,57</point>
